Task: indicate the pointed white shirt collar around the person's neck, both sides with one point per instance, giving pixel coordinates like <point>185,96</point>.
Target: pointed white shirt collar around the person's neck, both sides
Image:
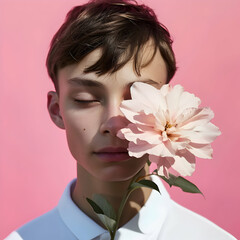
<point>150,218</point>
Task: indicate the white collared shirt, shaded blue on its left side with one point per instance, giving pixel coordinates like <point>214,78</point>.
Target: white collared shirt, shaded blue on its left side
<point>159,219</point>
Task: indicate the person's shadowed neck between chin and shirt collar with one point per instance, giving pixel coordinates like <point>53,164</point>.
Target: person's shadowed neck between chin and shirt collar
<point>86,186</point>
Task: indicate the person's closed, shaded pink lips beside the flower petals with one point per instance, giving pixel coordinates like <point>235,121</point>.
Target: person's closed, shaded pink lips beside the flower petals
<point>112,154</point>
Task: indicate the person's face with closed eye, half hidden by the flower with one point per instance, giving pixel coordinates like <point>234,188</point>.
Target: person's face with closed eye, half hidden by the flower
<point>87,107</point>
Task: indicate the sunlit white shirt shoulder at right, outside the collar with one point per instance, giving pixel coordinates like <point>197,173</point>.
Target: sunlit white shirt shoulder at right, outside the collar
<point>186,224</point>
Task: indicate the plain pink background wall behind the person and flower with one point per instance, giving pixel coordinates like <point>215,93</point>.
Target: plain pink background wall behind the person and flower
<point>35,164</point>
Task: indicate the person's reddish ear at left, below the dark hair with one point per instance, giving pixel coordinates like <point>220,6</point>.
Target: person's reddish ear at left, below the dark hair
<point>54,109</point>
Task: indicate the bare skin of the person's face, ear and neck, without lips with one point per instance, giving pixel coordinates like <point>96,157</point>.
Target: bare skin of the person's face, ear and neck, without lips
<point>93,124</point>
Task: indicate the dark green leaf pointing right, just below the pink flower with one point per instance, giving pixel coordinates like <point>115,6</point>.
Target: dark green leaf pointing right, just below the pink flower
<point>181,182</point>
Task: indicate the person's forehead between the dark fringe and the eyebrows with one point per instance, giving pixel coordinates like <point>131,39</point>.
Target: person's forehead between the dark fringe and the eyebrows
<point>154,71</point>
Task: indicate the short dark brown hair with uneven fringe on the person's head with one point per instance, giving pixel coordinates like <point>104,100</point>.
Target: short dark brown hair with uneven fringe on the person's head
<point>119,27</point>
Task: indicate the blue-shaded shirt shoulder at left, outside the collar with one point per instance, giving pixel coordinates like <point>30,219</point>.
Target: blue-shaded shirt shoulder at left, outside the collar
<point>47,226</point>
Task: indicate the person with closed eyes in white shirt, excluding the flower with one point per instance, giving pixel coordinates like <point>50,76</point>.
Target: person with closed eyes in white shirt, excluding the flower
<point>102,48</point>
